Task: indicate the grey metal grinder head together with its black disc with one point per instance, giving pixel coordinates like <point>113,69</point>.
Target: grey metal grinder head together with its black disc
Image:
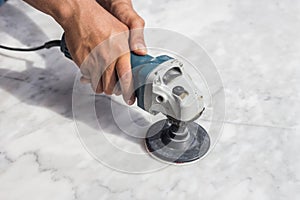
<point>171,91</point>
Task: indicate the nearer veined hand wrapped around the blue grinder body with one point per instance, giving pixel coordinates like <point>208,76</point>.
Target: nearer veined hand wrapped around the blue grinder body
<point>87,27</point>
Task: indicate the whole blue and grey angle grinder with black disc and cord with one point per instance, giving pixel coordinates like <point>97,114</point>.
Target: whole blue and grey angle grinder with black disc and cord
<point>162,86</point>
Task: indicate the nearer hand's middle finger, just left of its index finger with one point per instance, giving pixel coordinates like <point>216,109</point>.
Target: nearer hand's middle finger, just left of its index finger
<point>109,79</point>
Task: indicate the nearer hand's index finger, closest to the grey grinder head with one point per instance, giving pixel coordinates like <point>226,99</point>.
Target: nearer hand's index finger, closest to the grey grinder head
<point>125,77</point>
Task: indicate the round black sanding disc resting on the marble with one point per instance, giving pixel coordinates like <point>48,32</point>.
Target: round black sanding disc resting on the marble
<point>195,146</point>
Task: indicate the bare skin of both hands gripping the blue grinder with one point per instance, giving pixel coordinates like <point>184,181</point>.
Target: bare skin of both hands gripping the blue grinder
<point>87,23</point>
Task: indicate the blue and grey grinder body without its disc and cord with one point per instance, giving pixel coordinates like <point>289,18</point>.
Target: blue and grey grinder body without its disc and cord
<point>162,86</point>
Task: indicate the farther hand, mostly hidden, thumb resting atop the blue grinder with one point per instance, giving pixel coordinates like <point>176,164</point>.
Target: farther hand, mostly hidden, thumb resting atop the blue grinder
<point>123,10</point>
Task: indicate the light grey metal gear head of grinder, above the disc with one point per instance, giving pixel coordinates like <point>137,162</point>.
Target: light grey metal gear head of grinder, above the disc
<point>170,90</point>
